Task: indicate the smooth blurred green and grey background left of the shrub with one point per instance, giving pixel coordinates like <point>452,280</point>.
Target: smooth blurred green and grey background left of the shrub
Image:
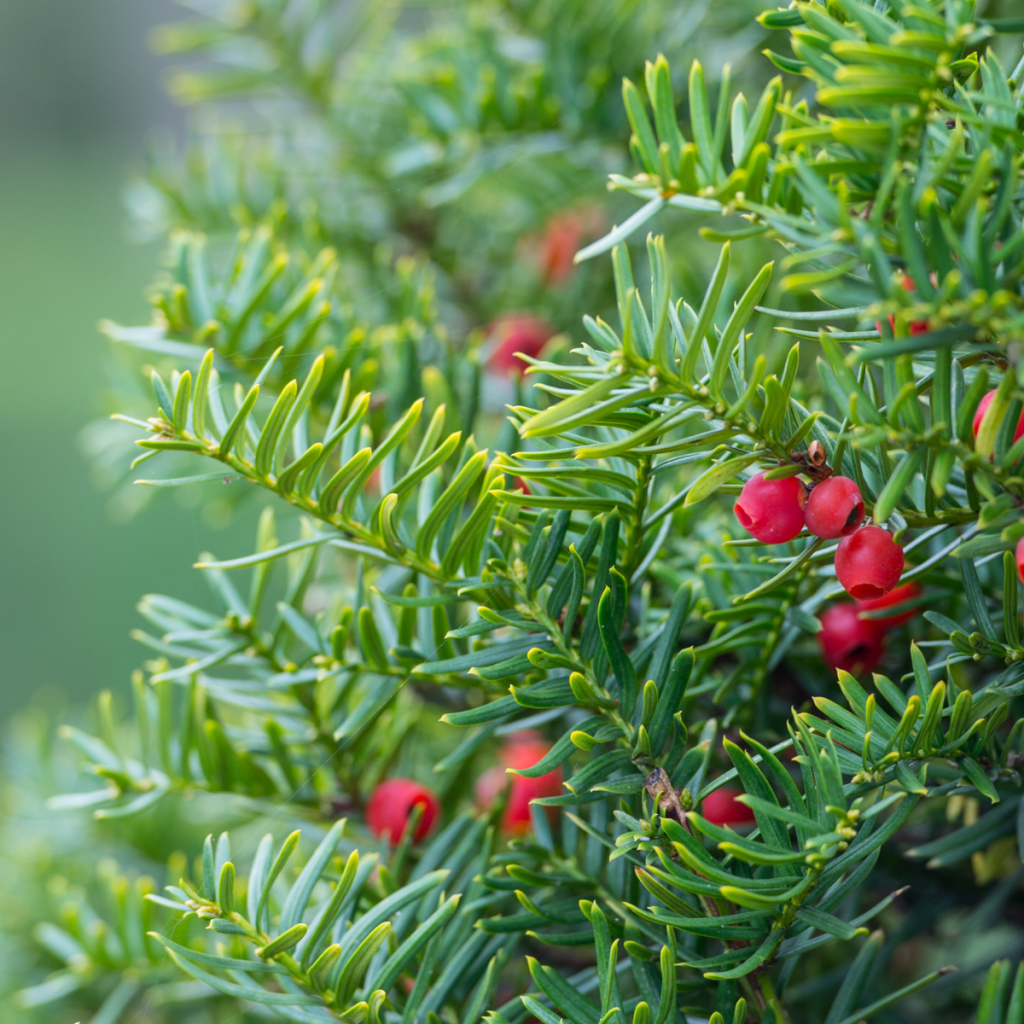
<point>82,92</point>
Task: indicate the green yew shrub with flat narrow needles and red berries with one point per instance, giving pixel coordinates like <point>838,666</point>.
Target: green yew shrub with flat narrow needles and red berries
<point>462,568</point>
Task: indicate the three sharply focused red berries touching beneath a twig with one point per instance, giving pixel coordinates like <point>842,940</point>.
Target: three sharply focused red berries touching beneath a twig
<point>869,562</point>
